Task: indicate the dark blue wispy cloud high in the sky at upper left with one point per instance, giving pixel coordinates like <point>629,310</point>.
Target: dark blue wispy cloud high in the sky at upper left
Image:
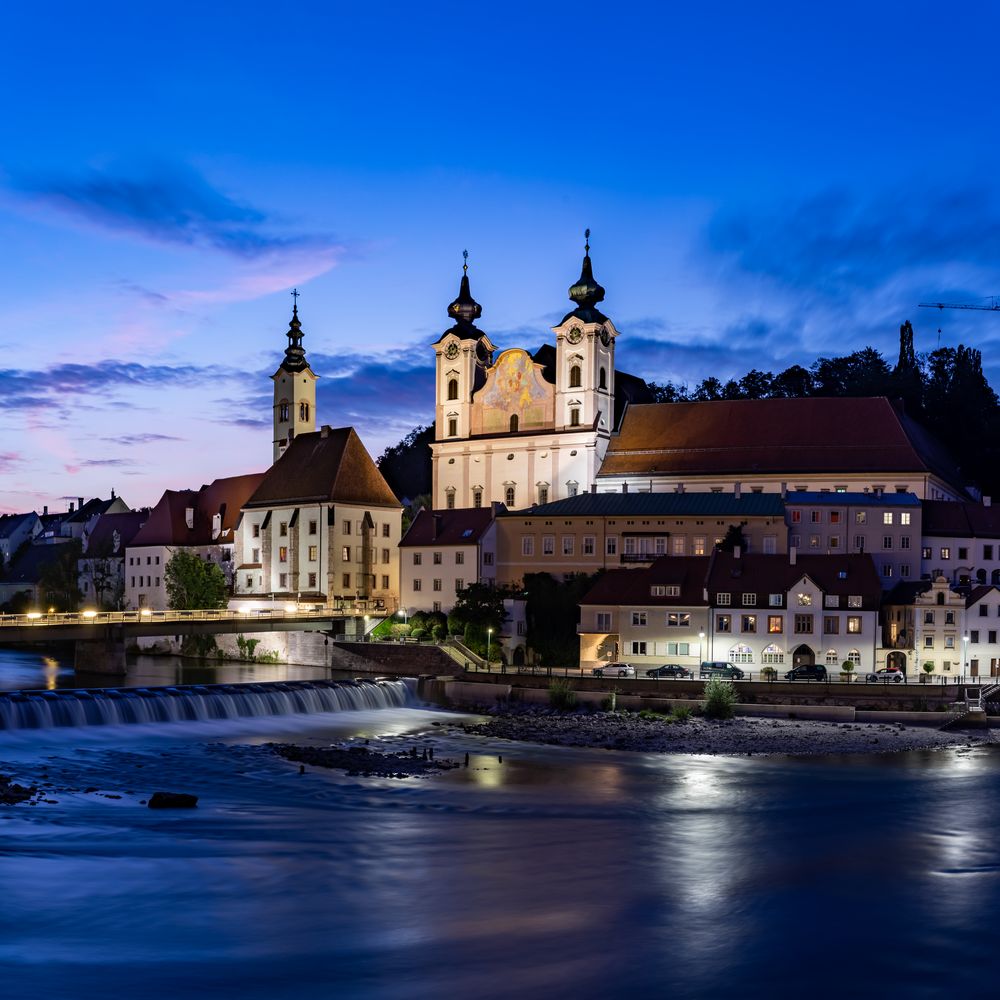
<point>168,204</point>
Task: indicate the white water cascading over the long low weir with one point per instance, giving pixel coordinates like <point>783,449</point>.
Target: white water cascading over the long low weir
<point>20,710</point>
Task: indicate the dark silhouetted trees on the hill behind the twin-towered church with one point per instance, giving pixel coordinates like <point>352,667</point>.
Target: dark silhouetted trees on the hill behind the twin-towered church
<point>945,390</point>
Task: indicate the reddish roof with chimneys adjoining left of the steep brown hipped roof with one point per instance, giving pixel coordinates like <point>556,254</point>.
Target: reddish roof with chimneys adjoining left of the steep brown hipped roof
<point>167,523</point>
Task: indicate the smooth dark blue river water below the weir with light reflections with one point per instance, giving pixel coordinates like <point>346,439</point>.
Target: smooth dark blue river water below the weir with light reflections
<point>551,873</point>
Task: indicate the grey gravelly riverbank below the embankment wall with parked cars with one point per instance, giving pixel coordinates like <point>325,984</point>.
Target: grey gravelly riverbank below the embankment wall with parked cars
<point>733,737</point>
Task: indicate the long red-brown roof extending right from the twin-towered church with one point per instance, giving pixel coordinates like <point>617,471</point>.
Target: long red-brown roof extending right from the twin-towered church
<point>783,437</point>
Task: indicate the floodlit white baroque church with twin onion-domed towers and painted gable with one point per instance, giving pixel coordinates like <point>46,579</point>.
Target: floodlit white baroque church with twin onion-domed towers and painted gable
<point>522,428</point>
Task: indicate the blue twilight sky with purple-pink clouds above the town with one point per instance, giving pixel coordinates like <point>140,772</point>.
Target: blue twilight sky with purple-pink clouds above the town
<point>765,183</point>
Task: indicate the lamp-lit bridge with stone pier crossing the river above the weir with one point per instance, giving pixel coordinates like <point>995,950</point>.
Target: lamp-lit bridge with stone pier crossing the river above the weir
<point>101,636</point>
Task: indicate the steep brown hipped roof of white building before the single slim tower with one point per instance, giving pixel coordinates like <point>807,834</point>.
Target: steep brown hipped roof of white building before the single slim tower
<point>328,465</point>
